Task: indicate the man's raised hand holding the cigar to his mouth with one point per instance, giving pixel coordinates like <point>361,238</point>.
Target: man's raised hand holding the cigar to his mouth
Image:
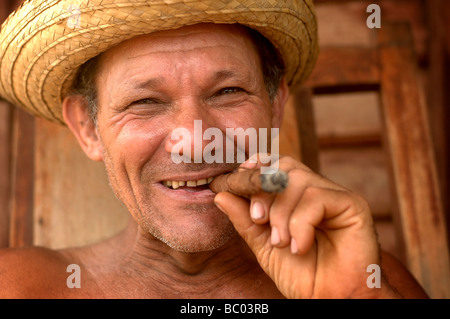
<point>315,239</point>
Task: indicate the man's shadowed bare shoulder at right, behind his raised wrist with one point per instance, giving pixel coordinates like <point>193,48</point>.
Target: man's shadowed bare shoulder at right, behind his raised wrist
<point>400,278</point>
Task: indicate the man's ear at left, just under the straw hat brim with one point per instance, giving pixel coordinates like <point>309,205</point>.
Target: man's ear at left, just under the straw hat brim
<point>75,114</point>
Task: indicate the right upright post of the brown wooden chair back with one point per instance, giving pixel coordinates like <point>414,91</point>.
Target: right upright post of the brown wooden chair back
<point>413,164</point>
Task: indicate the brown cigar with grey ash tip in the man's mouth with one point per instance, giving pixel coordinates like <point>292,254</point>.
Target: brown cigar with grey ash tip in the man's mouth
<point>249,182</point>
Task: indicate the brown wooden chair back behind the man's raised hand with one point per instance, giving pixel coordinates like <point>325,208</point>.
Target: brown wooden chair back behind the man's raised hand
<point>390,69</point>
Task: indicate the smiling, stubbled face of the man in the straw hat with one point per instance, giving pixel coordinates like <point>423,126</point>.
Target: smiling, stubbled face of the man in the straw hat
<point>151,85</point>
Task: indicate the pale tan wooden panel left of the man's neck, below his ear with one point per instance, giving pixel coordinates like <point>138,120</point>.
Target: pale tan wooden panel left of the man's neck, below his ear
<point>74,205</point>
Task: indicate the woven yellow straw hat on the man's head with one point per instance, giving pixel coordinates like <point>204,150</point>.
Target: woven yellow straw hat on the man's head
<point>43,43</point>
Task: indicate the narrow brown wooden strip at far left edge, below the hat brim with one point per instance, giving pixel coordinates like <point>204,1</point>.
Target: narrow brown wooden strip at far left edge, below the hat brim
<point>5,176</point>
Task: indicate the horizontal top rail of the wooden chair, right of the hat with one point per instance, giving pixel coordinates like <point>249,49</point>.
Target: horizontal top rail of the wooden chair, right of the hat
<point>344,66</point>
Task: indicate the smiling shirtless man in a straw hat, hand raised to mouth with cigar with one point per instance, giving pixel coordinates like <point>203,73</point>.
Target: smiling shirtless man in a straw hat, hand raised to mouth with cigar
<point>313,240</point>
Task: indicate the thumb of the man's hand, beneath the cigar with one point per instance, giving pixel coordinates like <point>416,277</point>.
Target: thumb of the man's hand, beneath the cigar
<point>238,211</point>
